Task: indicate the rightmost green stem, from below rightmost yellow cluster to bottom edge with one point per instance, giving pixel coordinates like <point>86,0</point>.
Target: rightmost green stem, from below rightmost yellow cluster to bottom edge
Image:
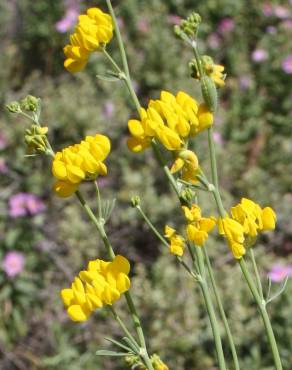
<point>263,311</point>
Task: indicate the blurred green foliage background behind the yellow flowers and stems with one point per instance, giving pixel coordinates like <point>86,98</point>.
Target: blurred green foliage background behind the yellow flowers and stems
<point>254,156</point>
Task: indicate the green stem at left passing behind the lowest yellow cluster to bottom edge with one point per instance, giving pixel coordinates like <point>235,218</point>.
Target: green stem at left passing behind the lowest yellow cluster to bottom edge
<point>100,228</point>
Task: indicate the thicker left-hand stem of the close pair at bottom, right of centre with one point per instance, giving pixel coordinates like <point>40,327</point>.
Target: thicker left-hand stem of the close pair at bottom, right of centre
<point>210,308</point>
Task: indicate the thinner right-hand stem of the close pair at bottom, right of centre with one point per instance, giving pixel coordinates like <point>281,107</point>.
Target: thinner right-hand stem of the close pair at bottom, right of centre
<point>221,310</point>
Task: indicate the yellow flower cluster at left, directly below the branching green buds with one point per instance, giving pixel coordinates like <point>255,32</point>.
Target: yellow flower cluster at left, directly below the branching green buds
<point>79,162</point>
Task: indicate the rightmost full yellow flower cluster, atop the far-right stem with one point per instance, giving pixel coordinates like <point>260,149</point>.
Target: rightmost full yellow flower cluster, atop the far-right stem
<point>248,219</point>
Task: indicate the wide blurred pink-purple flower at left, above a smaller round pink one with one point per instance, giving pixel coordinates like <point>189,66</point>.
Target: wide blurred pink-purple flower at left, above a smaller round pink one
<point>25,204</point>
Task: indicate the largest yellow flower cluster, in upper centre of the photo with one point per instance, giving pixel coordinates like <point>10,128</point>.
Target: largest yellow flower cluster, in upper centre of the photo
<point>170,120</point>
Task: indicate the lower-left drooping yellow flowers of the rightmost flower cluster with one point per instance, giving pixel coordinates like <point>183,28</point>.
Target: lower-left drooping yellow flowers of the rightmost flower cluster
<point>233,231</point>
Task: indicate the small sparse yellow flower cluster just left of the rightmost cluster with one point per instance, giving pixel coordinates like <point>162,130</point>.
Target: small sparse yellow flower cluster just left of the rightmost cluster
<point>198,227</point>
